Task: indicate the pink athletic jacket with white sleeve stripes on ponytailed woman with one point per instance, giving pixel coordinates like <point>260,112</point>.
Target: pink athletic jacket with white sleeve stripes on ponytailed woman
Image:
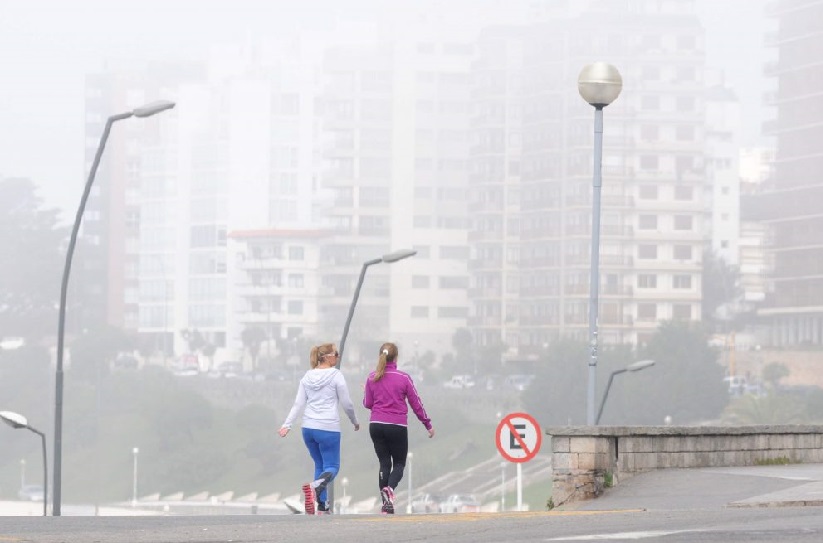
<point>387,398</point>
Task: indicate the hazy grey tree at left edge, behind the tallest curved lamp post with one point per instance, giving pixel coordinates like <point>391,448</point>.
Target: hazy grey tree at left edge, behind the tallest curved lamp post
<point>31,269</point>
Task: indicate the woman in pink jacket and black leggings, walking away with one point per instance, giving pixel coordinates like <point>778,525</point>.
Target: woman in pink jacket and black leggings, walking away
<point>387,392</point>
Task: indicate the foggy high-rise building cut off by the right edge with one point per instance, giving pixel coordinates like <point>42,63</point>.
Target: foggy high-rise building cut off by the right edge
<point>789,203</point>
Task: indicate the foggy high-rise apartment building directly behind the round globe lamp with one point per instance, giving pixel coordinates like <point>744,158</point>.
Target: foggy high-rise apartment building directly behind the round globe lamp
<point>534,184</point>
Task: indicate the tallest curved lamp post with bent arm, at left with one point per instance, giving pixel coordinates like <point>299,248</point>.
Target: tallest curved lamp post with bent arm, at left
<point>145,111</point>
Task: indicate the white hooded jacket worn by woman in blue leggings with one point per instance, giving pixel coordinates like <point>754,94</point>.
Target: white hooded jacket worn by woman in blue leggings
<point>320,391</point>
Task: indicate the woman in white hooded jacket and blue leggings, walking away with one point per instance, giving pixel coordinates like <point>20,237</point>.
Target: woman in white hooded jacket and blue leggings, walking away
<point>321,390</point>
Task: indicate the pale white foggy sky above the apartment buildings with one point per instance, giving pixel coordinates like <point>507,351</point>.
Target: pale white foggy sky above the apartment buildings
<point>48,46</point>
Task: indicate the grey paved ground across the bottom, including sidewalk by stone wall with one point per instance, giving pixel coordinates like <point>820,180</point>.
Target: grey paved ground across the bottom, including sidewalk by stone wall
<point>727,505</point>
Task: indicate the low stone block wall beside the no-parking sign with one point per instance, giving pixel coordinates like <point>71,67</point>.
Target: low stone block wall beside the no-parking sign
<point>587,459</point>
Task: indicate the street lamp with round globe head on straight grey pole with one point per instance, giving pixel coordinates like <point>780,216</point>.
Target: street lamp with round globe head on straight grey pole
<point>599,84</point>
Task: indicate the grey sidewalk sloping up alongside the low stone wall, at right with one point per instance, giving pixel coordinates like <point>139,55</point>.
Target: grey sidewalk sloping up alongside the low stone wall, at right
<point>712,488</point>
